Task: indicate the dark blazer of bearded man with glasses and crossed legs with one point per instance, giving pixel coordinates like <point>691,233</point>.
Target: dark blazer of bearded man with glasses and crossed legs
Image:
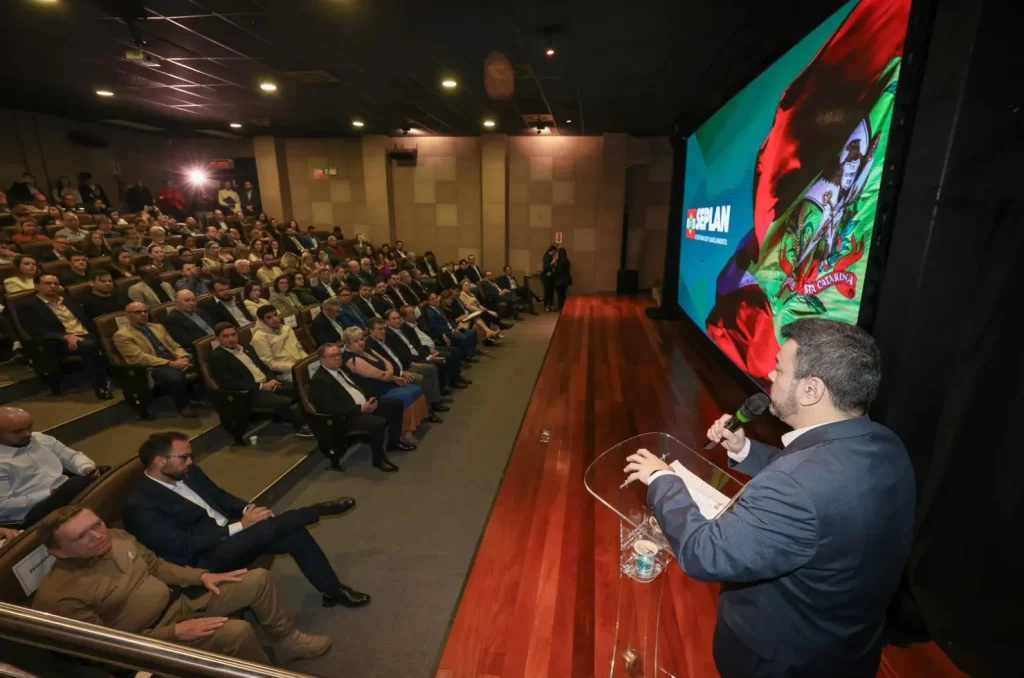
<point>173,527</point>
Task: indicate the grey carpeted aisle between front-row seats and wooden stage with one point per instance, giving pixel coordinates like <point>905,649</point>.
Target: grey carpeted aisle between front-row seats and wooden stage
<point>412,537</point>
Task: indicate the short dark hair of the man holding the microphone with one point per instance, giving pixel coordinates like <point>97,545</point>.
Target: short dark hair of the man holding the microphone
<point>842,356</point>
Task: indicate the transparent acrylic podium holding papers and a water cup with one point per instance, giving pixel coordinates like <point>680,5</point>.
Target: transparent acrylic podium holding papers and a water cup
<point>643,646</point>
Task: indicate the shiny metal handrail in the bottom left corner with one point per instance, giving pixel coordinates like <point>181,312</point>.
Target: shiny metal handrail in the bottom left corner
<point>131,651</point>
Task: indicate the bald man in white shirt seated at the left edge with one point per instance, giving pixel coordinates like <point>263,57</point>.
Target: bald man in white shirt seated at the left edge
<point>32,468</point>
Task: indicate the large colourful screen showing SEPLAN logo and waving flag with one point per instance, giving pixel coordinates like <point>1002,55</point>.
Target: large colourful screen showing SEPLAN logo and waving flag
<point>783,183</point>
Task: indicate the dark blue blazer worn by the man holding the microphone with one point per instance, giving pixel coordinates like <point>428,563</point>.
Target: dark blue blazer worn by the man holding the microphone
<point>815,547</point>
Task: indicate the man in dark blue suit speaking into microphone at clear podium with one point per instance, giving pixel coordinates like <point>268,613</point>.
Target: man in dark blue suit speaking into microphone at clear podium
<point>815,547</point>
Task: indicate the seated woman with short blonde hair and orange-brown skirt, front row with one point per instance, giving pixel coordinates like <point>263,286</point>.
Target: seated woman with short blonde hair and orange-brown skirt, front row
<point>374,375</point>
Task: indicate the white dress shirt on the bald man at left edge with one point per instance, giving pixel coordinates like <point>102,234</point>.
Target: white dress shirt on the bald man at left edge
<point>30,475</point>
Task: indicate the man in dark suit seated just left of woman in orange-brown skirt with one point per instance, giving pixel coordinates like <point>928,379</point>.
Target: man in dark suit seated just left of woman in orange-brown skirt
<point>333,393</point>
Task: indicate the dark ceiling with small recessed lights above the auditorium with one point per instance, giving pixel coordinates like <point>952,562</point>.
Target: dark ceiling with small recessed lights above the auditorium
<point>620,66</point>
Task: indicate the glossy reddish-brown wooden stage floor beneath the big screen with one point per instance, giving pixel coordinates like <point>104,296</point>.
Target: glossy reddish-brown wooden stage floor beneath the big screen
<point>541,599</point>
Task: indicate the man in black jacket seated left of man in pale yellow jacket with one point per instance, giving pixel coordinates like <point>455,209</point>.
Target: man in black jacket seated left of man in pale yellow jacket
<point>238,368</point>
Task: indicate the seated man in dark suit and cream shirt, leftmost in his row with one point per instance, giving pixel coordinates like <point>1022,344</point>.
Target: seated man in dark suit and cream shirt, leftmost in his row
<point>52,317</point>
